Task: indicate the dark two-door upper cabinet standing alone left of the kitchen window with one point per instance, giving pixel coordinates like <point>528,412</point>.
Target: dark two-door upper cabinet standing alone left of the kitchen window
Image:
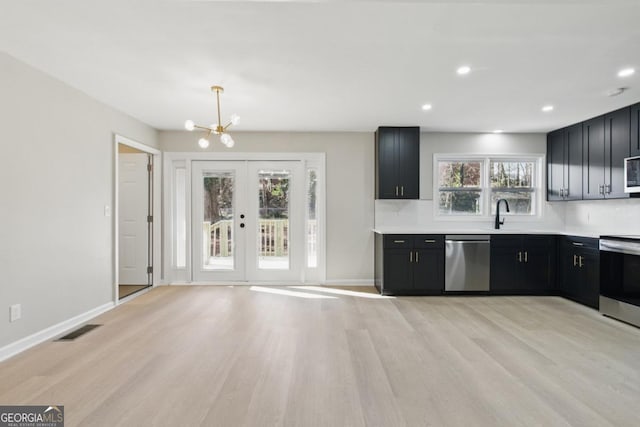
<point>398,162</point>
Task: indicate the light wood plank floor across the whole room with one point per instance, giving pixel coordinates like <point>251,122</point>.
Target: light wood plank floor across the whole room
<point>236,356</point>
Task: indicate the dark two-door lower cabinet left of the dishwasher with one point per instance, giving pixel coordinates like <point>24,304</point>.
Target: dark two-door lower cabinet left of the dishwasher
<point>409,264</point>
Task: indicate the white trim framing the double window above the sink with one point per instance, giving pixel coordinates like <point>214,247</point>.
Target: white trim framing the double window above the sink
<point>486,190</point>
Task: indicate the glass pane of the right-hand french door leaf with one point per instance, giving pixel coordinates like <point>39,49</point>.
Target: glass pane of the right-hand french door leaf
<point>273,219</point>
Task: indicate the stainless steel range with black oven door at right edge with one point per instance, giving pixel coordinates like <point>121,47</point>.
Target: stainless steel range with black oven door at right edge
<point>620,278</point>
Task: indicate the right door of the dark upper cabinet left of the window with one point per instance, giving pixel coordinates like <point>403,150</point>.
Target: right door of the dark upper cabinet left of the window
<point>408,166</point>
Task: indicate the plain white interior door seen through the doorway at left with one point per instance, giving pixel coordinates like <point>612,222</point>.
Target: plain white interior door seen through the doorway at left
<point>133,209</point>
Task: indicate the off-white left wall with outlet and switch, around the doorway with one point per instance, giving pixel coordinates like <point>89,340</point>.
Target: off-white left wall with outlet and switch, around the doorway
<point>56,256</point>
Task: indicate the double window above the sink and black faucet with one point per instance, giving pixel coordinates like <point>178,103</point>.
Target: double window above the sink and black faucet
<point>471,185</point>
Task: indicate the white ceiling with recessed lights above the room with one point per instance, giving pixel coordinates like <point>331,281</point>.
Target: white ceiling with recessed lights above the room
<point>338,65</point>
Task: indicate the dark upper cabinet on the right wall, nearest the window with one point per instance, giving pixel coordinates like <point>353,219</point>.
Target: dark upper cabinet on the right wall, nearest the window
<point>564,164</point>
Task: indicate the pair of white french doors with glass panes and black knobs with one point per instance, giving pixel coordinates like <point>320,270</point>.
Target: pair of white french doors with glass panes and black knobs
<point>248,219</point>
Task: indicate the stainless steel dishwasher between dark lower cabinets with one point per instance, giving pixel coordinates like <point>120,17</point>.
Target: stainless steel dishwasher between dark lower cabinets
<point>467,262</point>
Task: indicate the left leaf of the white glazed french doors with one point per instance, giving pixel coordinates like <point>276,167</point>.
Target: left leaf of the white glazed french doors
<point>218,189</point>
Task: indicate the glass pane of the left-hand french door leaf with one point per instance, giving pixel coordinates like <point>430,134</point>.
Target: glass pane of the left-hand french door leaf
<point>217,223</point>
